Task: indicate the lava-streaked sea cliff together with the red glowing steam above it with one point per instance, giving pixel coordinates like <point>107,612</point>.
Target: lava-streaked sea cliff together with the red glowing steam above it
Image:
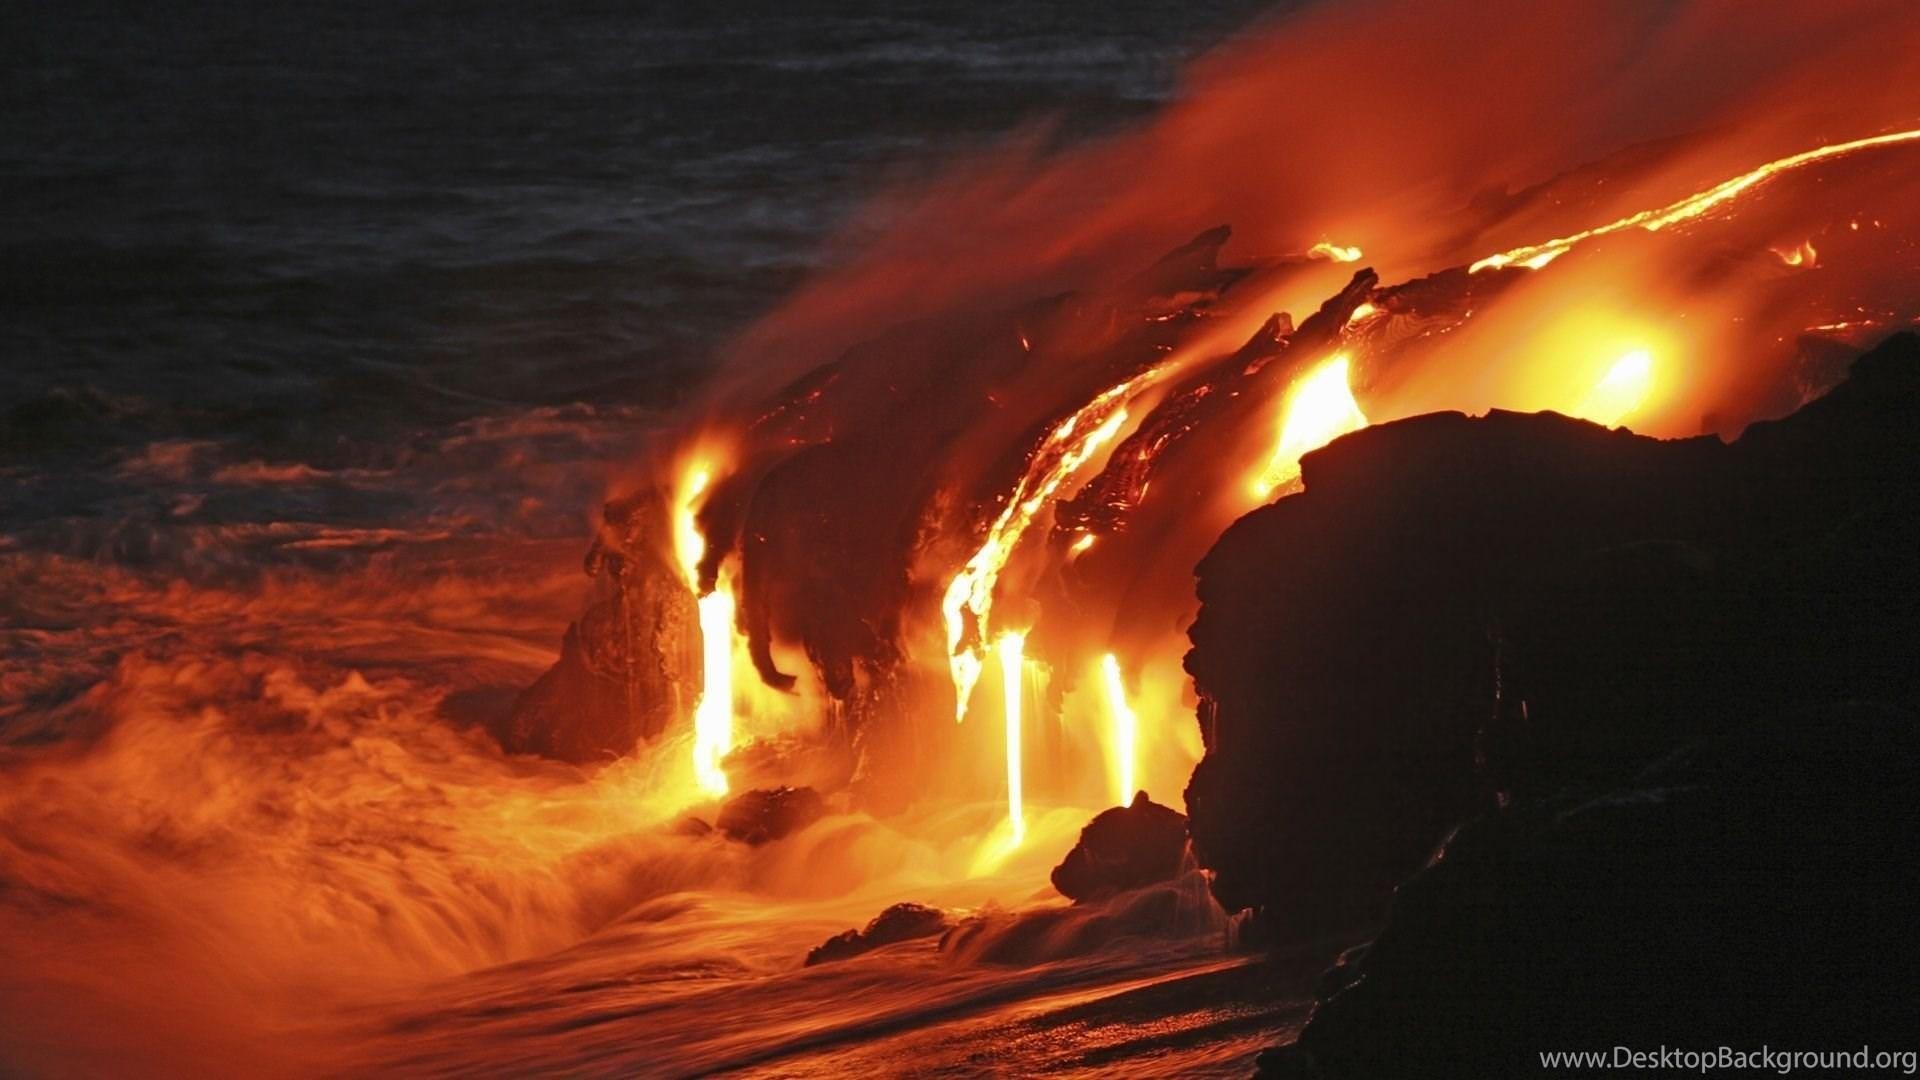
<point>1042,476</point>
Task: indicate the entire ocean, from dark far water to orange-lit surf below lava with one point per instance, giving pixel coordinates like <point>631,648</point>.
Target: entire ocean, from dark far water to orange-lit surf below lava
<point>327,330</point>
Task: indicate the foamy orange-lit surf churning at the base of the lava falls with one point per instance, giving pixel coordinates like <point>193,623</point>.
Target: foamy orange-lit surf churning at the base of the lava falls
<point>266,843</point>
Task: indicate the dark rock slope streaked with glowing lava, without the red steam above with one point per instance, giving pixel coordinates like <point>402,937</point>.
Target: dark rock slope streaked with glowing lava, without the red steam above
<point>1145,462</point>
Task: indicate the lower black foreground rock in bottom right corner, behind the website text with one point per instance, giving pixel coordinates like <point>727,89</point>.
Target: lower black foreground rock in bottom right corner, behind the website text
<point>1754,889</point>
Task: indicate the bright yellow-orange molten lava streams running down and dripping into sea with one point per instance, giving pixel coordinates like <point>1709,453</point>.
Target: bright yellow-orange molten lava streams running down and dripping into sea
<point>1378,341</point>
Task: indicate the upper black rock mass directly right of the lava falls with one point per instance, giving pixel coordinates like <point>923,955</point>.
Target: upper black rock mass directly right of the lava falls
<point>1464,612</point>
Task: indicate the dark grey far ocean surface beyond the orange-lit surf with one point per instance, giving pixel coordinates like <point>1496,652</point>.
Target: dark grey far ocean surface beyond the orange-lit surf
<point>320,264</point>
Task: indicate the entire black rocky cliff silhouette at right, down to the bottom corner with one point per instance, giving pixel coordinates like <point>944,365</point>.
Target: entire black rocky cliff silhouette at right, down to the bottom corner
<point>1671,687</point>
